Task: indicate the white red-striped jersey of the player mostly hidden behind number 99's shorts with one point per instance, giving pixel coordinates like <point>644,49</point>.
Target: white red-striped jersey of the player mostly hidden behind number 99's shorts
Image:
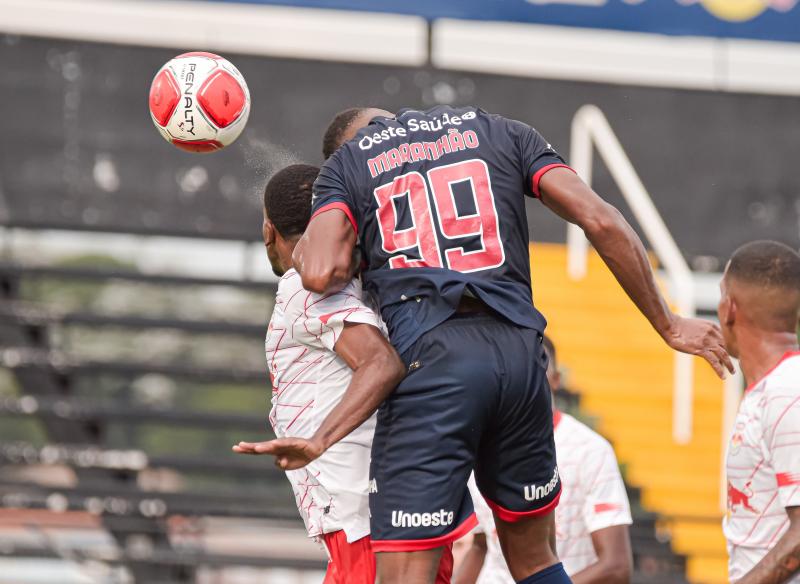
<point>593,498</point>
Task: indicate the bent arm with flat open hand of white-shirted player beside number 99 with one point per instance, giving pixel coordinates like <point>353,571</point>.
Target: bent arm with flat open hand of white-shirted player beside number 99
<point>377,369</point>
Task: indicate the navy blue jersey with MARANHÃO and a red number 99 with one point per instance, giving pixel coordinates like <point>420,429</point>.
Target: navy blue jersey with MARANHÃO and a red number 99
<point>436,198</point>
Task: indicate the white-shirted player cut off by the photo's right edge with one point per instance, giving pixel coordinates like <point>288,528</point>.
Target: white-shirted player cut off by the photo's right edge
<point>758,313</point>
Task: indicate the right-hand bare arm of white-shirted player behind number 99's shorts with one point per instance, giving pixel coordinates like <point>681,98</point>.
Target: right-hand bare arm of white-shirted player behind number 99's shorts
<point>614,563</point>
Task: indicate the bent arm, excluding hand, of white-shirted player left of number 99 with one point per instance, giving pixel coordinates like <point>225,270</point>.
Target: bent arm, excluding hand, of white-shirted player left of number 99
<point>377,369</point>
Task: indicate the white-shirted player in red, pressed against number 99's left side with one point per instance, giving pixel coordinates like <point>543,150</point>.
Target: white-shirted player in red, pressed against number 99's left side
<point>328,360</point>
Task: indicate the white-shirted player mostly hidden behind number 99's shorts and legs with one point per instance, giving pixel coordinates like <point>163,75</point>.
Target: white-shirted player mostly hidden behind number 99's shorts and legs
<point>594,504</point>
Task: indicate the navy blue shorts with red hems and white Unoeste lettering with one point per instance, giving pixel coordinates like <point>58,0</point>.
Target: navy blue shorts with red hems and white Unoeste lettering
<point>476,398</point>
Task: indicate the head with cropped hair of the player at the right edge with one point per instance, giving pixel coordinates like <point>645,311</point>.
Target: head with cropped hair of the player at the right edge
<point>761,289</point>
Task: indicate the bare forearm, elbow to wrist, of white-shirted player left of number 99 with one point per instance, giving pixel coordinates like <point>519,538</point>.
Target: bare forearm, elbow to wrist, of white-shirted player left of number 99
<point>369,387</point>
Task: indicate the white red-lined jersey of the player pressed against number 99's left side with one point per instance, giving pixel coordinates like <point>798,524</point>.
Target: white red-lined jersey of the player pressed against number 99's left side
<point>308,380</point>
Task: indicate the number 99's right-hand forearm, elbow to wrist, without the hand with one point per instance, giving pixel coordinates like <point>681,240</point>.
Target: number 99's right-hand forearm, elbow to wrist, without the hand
<point>623,252</point>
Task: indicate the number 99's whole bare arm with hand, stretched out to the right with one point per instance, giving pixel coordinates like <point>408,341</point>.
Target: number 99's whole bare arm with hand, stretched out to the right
<point>563,192</point>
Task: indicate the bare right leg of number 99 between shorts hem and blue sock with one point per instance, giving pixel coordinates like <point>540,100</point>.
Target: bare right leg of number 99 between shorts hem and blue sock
<point>527,544</point>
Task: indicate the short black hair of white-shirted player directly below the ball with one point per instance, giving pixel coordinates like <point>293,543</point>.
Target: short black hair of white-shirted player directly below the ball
<point>287,198</point>
